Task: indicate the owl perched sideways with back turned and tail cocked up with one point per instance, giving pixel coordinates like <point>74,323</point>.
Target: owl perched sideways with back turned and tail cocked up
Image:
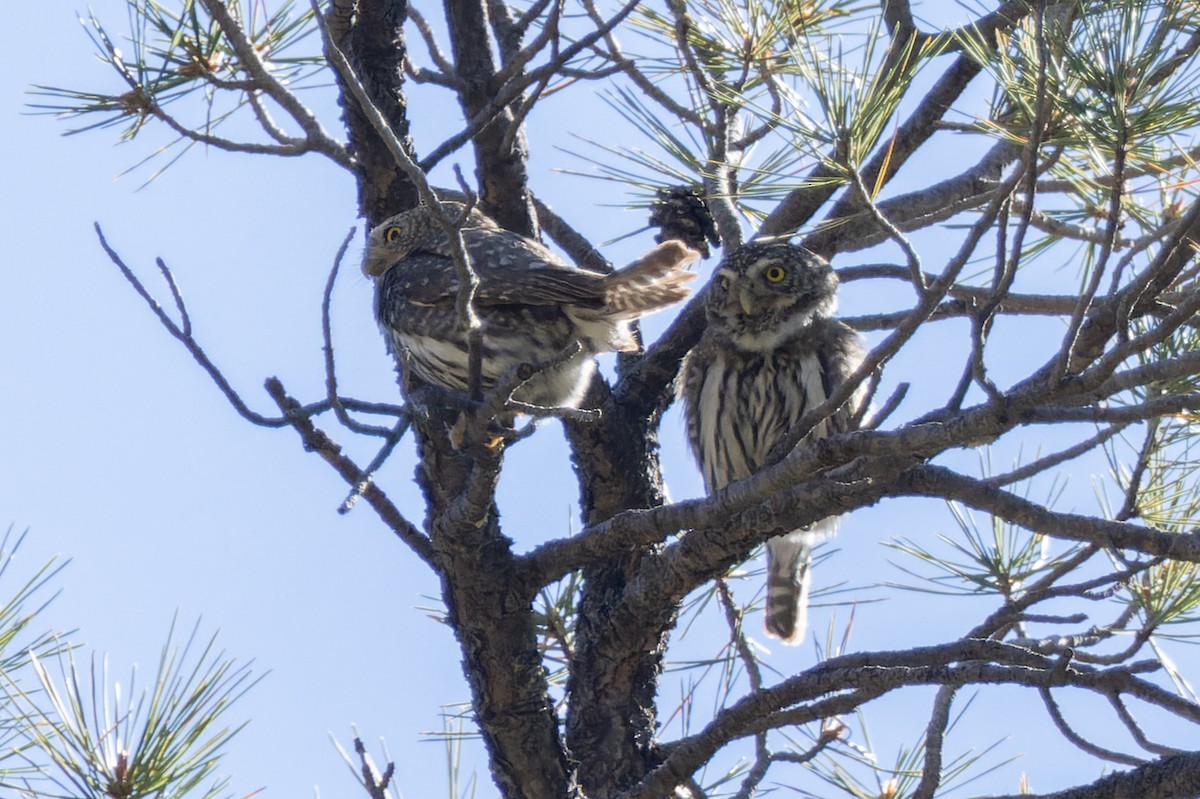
<point>532,305</point>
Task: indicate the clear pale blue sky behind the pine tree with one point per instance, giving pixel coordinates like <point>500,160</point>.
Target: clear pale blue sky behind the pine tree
<point>124,458</point>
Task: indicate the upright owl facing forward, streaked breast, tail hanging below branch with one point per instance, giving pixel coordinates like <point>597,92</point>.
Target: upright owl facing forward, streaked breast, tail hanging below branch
<point>771,353</point>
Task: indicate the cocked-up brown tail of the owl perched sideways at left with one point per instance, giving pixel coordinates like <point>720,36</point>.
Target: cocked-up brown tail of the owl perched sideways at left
<point>655,281</point>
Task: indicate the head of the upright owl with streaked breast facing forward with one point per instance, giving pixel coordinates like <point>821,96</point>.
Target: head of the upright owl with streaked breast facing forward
<point>765,295</point>
